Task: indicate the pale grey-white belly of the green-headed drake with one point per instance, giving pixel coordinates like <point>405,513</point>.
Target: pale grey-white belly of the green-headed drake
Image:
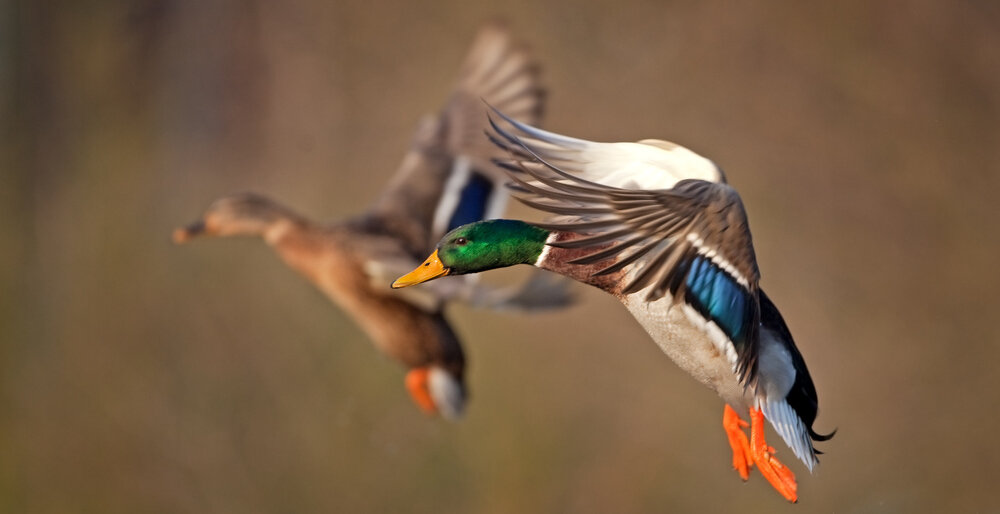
<point>689,345</point>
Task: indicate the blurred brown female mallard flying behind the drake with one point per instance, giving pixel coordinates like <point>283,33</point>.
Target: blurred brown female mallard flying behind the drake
<point>445,180</point>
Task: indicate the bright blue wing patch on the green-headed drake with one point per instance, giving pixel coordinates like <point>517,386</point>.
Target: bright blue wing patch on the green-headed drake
<point>717,296</point>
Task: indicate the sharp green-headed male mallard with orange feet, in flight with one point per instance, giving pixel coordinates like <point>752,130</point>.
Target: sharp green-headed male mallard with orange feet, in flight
<point>656,225</point>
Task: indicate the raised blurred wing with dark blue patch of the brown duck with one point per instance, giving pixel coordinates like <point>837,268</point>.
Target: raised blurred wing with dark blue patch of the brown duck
<point>447,178</point>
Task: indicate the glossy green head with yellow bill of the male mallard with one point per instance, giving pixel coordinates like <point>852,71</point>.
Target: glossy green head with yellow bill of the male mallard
<point>480,246</point>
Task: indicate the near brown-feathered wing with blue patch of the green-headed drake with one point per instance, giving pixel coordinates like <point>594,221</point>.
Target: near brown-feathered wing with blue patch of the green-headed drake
<point>691,241</point>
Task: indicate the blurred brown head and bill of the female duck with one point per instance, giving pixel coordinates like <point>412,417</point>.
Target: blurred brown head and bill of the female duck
<point>235,215</point>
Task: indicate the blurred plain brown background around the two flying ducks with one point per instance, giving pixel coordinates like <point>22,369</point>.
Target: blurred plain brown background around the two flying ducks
<point>140,376</point>
